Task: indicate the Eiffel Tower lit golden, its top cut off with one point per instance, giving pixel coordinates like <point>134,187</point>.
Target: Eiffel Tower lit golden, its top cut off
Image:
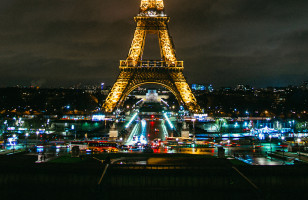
<point>167,72</point>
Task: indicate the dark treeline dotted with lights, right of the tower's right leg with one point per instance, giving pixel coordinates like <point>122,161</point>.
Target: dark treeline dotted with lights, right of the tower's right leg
<point>281,104</point>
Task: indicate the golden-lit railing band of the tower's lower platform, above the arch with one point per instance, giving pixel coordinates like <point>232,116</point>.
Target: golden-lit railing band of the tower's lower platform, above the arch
<point>151,63</point>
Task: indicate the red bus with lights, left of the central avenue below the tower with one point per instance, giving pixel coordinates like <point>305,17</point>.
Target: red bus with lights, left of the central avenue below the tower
<point>102,146</point>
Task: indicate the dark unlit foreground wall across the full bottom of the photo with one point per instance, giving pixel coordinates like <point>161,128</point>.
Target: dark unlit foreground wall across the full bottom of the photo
<point>213,181</point>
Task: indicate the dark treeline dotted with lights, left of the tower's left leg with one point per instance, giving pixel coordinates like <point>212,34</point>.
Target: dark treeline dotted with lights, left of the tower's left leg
<point>48,101</point>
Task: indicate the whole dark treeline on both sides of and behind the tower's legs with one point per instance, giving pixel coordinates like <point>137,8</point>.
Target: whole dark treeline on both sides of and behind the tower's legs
<point>286,103</point>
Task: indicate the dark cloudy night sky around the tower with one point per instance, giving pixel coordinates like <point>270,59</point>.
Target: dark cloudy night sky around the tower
<point>51,43</point>
